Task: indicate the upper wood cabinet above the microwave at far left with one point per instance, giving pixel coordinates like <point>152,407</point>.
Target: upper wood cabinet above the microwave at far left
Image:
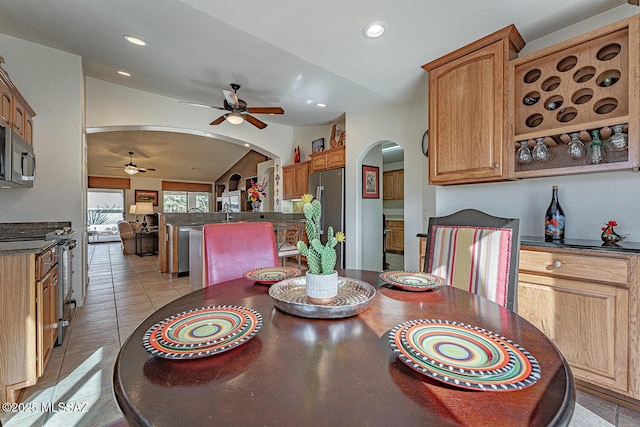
<point>15,111</point>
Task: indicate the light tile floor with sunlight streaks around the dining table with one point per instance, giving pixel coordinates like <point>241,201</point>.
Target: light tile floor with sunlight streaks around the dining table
<point>123,290</point>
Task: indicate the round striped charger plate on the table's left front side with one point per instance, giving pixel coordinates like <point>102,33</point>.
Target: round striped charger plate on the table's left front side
<point>202,332</point>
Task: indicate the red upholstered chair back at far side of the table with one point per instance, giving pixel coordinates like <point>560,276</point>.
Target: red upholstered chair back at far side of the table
<point>232,248</point>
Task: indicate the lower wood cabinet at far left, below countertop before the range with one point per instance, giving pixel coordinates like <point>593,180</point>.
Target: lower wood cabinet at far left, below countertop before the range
<point>29,300</point>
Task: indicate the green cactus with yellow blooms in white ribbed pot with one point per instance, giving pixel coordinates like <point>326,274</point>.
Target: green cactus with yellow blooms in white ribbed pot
<point>321,278</point>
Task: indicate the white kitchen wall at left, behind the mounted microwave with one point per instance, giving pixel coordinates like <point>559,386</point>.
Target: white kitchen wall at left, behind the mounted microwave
<point>52,83</point>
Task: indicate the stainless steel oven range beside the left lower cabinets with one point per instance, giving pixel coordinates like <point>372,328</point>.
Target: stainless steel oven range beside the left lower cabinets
<point>66,302</point>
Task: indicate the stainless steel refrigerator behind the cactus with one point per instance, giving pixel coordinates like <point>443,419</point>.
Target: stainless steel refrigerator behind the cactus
<point>328,187</point>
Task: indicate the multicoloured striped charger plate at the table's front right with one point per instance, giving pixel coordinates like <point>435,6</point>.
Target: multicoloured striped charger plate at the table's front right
<point>520,372</point>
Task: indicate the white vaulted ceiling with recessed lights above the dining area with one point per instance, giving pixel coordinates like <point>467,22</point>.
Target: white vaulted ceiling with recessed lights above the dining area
<point>288,53</point>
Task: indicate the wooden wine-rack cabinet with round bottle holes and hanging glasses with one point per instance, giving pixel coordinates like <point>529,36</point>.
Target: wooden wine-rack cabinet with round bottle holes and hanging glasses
<point>586,83</point>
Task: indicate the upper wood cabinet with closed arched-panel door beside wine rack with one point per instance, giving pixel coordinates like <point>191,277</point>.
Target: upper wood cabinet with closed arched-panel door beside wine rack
<point>468,104</point>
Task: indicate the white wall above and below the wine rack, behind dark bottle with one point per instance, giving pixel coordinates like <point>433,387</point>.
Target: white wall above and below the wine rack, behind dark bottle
<point>588,200</point>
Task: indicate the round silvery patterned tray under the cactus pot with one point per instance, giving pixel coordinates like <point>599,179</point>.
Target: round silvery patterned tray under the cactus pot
<point>354,296</point>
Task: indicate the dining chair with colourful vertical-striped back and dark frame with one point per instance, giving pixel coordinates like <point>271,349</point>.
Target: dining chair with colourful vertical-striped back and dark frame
<point>476,252</point>
